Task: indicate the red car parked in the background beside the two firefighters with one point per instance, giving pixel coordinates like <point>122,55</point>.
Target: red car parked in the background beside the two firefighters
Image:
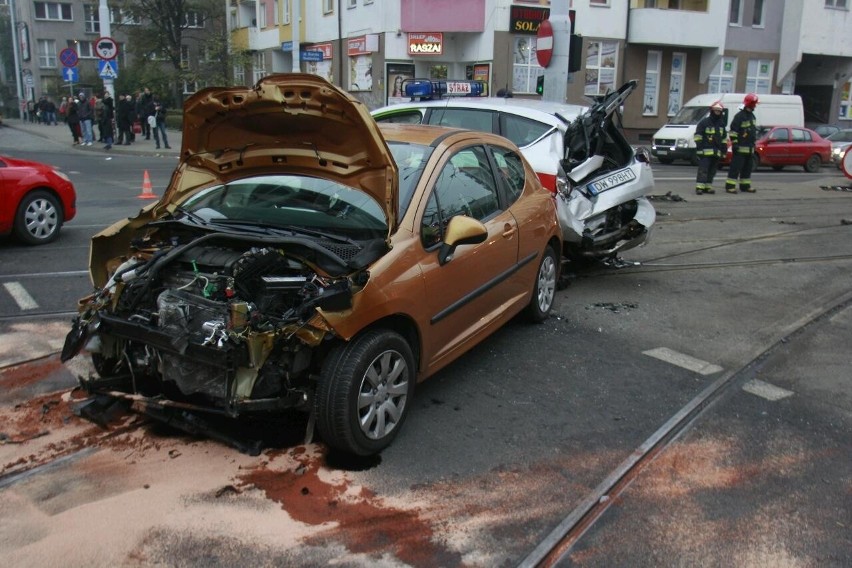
<point>779,146</point>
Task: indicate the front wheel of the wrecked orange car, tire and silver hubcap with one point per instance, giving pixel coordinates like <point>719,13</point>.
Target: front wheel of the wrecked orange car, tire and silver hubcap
<point>364,392</point>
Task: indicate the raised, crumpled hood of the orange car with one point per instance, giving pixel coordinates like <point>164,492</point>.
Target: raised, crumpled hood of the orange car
<point>287,123</point>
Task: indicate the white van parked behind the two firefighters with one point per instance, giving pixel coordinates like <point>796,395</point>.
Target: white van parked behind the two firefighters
<point>675,140</point>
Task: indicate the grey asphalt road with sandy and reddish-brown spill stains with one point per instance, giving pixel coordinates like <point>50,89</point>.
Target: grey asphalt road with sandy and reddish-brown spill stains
<point>509,440</point>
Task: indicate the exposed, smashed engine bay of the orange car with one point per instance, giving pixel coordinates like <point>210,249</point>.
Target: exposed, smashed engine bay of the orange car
<point>221,321</point>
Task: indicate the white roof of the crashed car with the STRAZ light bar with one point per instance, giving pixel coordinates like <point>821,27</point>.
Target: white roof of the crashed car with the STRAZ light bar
<point>530,108</point>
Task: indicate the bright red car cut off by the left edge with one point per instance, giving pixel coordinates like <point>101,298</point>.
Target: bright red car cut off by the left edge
<point>35,200</point>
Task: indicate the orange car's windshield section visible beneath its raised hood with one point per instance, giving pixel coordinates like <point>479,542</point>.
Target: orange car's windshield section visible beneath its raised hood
<point>291,202</point>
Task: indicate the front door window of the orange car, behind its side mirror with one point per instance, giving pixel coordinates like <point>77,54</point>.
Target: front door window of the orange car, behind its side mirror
<point>466,186</point>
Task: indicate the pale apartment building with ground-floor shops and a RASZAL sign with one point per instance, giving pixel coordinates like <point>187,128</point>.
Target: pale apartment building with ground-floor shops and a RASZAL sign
<point>675,48</point>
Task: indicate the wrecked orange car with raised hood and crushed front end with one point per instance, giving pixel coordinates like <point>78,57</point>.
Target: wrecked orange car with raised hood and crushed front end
<point>305,259</point>
